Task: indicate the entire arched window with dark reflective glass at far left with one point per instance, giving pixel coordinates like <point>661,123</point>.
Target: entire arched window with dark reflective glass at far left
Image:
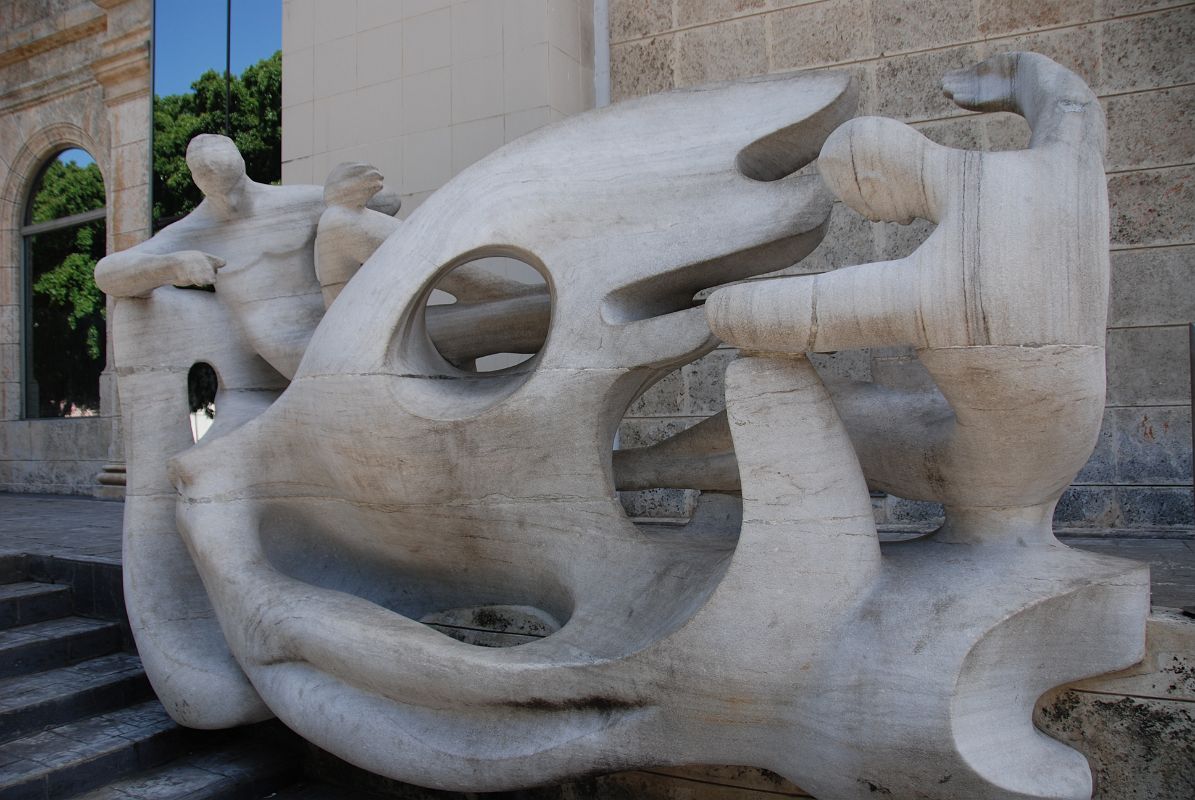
<point>64,236</point>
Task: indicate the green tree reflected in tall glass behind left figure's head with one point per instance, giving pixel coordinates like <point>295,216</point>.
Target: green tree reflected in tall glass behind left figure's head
<point>256,121</point>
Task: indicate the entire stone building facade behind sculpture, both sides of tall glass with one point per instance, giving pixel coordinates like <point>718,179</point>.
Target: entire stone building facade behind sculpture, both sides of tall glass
<point>425,88</point>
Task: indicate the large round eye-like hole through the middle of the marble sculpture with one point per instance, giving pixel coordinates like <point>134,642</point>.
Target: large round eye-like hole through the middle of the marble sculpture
<point>489,315</point>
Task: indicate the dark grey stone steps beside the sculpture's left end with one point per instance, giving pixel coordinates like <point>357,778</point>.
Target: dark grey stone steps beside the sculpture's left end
<point>78,718</point>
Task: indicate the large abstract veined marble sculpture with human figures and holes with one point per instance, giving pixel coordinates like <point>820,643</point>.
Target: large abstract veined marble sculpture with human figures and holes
<point>389,487</point>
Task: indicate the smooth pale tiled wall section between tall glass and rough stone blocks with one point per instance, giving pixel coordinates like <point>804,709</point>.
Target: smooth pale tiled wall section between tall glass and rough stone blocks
<point>422,89</point>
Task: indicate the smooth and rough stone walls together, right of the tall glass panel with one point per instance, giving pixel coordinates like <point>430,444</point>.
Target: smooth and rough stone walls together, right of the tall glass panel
<point>425,88</point>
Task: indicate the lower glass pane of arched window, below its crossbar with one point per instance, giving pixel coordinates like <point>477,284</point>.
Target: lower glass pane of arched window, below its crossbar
<point>65,322</point>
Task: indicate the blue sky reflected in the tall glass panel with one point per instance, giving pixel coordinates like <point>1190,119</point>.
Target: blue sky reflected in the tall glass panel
<point>189,38</point>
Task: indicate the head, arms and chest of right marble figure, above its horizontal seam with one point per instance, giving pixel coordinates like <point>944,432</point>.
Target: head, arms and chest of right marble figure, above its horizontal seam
<point>1006,223</point>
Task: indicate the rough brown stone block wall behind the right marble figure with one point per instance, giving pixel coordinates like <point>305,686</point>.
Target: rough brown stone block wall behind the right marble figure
<point>1138,56</point>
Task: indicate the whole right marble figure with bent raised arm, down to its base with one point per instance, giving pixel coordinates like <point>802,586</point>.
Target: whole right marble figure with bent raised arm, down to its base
<point>1006,302</point>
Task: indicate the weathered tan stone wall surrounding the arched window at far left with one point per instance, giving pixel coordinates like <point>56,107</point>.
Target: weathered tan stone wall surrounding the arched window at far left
<point>72,75</point>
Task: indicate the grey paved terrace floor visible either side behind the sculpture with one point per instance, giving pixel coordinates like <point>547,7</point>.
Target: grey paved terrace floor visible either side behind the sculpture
<point>87,529</point>
